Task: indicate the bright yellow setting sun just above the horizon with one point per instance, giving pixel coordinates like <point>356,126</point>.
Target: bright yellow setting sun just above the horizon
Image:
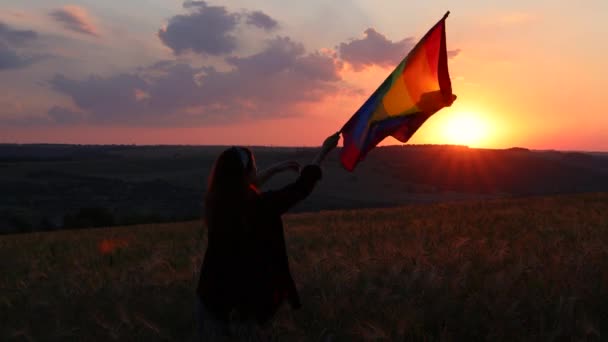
<point>465,128</point>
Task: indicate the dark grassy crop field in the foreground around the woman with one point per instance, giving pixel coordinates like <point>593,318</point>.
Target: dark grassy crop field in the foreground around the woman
<point>501,270</point>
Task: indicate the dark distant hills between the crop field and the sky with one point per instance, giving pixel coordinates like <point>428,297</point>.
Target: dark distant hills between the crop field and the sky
<point>46,187</point>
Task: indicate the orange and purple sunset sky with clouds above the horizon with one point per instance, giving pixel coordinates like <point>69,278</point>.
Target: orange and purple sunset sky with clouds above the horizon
<point>526,73</point>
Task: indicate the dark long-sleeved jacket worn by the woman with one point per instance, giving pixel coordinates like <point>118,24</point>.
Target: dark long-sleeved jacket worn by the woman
<point>246,275</point>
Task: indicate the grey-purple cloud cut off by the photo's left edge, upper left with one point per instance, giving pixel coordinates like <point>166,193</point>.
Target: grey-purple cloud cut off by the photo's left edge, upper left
<point>11,42</point>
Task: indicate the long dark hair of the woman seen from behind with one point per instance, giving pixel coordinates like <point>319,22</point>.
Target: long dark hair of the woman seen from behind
<point>228,189</point>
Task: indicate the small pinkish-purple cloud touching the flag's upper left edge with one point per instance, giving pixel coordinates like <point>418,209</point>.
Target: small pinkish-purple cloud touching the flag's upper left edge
<point>374,49</point>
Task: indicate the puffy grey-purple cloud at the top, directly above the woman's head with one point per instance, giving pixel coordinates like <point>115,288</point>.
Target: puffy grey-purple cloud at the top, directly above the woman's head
<point>205,30</point>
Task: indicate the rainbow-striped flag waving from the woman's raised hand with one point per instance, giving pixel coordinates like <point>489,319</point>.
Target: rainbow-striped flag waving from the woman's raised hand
<point>415,90</point>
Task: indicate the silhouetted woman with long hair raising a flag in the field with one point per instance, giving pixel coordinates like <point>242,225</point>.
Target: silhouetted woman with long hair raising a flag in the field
<point>245,274</point>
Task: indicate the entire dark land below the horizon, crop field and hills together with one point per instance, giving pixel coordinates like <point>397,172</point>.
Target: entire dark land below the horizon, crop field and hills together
<point>426,243</point>
